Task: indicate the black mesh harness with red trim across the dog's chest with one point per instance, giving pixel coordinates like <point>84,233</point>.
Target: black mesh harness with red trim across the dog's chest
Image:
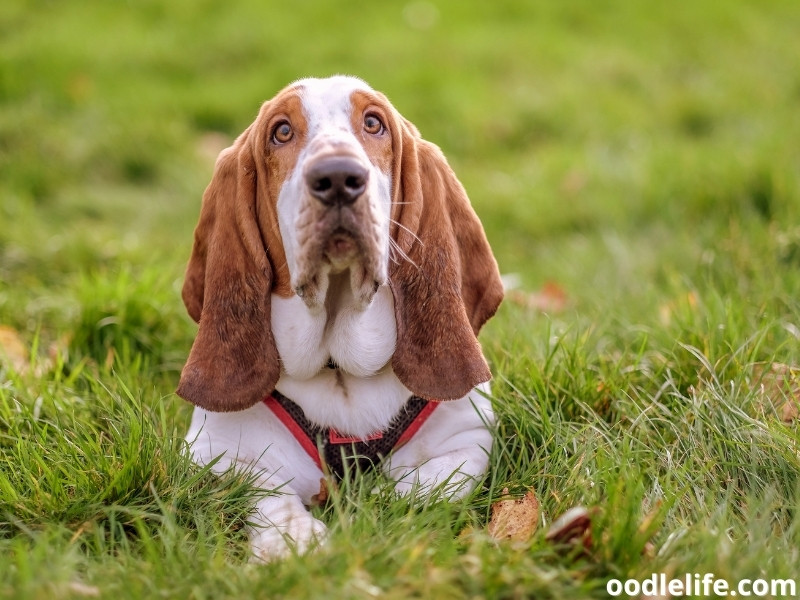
<point>338,453</point>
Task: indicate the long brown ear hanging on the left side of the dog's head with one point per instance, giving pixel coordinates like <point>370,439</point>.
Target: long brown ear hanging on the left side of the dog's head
<point>233,363</point>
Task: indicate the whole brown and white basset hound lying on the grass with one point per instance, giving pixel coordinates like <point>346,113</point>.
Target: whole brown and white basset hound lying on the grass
<point>339,277</point>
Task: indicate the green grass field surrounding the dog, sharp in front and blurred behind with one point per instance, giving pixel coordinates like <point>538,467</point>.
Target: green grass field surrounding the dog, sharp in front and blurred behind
<point>637,165</point>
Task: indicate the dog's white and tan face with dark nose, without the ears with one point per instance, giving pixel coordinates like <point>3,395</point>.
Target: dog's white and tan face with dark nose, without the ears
<point>330,145</point>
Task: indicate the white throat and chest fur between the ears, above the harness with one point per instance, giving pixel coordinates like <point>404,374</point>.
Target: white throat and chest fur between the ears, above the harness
<point>363,394</point>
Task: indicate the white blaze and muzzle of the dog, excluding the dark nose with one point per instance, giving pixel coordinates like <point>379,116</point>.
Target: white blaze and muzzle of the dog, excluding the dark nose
<point>306,224</point>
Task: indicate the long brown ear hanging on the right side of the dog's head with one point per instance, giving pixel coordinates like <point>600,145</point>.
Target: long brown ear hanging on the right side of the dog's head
<point>447,285</point>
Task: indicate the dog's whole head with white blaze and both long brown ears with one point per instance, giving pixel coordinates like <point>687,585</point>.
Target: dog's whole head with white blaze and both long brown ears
<point>331,179</point>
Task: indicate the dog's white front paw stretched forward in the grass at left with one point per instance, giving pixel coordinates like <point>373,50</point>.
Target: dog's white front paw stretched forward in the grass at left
<point>297,536</point>
